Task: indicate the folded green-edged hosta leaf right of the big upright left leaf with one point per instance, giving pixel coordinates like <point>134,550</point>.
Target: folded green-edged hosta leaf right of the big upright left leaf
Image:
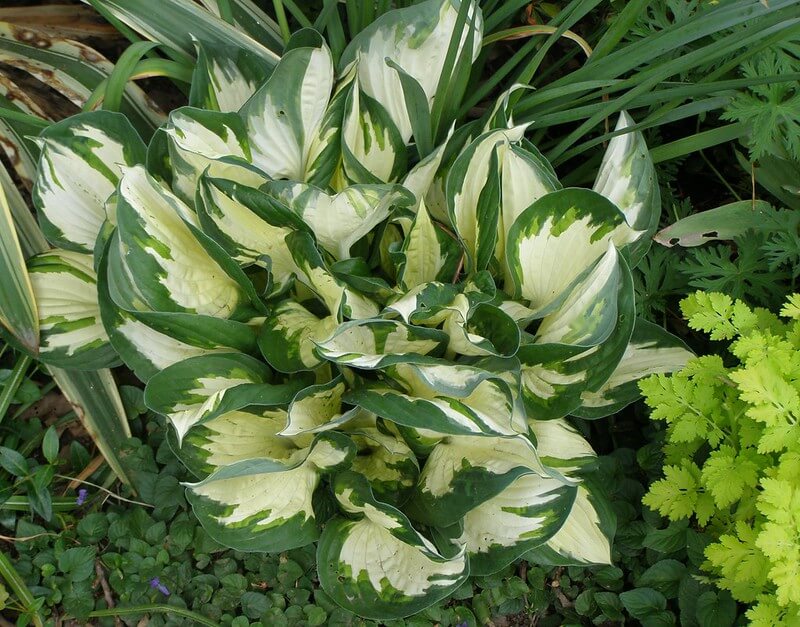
<point>251,226</point>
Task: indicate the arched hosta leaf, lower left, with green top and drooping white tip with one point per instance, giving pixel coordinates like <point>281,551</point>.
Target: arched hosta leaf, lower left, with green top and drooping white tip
<point>192,390</point>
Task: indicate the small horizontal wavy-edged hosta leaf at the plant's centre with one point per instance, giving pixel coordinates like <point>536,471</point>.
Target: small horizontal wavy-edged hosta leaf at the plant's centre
<point>373,344</point>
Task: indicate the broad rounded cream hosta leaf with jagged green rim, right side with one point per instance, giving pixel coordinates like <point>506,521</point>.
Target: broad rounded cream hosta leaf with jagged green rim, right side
<point>555,240</point>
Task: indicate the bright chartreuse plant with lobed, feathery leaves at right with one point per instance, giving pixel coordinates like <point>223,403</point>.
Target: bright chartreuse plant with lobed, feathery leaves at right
<point>733,451</point>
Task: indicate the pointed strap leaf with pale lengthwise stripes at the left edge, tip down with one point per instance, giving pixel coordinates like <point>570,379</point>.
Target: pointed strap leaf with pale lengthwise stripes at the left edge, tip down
<point>18,307</point>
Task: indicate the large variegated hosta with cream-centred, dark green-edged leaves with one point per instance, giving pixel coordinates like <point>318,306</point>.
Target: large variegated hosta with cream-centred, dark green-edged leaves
<point>366,324</point>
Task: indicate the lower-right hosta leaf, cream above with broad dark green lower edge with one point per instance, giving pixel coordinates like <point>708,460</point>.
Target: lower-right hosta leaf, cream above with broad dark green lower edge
<point>464,471</point>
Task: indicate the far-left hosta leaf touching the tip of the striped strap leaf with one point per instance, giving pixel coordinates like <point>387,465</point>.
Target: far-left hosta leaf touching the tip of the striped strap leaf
<point>65,287</point>
